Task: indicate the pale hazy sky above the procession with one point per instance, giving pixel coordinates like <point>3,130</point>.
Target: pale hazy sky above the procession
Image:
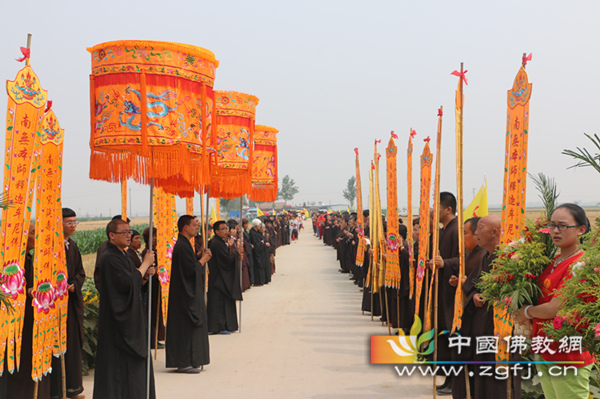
<point>335,75</point>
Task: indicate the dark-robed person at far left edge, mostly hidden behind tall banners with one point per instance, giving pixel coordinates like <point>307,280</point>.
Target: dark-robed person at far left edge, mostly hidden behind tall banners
<point>19,383</point>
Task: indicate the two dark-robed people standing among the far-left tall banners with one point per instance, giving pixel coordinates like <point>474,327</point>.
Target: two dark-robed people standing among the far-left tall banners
<point>18,383</point>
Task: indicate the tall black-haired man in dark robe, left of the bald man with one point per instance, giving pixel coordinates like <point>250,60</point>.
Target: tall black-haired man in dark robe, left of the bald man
<point>447,262</point>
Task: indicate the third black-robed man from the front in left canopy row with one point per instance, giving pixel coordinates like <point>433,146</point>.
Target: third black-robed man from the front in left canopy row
<point>224,282</point>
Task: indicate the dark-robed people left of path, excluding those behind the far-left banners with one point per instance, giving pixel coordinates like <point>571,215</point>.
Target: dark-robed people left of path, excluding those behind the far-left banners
<point>190,321</point>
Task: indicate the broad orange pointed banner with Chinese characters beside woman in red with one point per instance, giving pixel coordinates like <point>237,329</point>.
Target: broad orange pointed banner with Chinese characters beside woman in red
<point>515,179</point>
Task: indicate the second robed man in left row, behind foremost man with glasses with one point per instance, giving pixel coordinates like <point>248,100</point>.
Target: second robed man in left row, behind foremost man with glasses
<point>187,329</point>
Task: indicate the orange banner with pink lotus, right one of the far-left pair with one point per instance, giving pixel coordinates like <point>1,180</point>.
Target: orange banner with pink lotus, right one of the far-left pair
<point>50,297</point>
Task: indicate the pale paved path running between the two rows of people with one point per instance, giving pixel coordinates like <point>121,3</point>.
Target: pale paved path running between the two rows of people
<point>303,336</point>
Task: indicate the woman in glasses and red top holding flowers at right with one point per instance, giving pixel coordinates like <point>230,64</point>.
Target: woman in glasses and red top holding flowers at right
<point>566,227</point>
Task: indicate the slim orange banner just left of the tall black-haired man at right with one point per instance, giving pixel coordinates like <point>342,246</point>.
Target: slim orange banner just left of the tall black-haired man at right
<point>426,161</point>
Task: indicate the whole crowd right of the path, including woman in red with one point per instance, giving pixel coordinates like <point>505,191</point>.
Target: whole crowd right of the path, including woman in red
<point>481,239</point>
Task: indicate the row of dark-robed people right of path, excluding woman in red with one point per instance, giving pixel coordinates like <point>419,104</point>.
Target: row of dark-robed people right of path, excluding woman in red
<point>340,232</point>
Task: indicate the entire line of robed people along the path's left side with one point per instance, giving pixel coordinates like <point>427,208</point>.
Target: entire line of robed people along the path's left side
<point>238,257</point>
